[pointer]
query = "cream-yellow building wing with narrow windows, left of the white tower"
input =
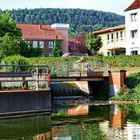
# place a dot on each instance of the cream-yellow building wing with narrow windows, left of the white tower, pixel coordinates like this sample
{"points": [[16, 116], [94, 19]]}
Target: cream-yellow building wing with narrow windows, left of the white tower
{"points": [[113, 40]]}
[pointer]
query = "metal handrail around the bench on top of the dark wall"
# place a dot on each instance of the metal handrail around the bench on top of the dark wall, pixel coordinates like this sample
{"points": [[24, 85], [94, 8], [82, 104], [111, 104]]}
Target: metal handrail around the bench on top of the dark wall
{"points": [[40, 74]]}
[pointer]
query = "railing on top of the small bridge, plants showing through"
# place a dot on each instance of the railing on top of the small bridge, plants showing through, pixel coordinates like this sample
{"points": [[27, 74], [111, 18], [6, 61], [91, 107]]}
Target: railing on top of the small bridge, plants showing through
{"points": [[66, 69]]}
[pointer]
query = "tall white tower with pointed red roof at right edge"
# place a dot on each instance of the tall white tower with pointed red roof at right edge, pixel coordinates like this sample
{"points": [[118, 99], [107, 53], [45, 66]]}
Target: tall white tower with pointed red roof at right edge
{"points": [[132, 27]]}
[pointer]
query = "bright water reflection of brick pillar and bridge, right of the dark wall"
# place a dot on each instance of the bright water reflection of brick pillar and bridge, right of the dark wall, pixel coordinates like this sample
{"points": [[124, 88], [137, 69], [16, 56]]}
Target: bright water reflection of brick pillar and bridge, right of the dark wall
{"points": [[109, 122]]}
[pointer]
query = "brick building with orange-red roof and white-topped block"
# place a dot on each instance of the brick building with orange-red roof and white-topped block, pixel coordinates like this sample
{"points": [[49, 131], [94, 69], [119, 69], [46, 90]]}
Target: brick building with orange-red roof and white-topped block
{"points": [[43, 36]]}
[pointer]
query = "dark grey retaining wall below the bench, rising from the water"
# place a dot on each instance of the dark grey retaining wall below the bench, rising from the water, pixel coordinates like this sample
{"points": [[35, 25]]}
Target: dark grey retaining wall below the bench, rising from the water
{"points": [[29, 101]]}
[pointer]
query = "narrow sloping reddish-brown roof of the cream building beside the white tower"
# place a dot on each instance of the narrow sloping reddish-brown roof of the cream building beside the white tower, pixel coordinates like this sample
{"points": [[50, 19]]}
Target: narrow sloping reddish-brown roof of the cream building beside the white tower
{"points": [[116, 28]]}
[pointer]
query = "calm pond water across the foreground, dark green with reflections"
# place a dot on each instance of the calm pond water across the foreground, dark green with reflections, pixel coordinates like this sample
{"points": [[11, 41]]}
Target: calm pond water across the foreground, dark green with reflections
{"points": [[76, 120]]}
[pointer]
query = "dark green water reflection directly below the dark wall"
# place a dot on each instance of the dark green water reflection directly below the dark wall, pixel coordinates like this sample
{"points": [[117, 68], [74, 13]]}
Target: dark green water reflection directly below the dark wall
{"points": [[25, 128]]}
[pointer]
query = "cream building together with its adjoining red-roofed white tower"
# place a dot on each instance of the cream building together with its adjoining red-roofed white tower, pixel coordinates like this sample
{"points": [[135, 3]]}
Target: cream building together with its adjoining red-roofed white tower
{"points": [[123, 39]]}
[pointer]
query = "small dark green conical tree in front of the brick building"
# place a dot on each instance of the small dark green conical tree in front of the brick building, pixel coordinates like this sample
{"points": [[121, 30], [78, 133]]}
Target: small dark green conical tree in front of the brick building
{"points": [[56, 51]]}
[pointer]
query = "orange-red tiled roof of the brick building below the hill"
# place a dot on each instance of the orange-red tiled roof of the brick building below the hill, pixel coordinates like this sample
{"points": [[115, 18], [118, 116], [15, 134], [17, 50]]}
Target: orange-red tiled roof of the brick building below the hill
{"points": [[39, 32]]}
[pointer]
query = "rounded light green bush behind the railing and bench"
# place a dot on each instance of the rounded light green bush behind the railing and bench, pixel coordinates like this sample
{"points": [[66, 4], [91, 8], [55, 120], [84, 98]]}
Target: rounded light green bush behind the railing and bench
{"points": [[15, 60]]}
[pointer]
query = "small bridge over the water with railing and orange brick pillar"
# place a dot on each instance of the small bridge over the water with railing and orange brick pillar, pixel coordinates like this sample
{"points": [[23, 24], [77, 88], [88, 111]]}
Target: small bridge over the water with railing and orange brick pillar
{"points": [[87, 76]]}
